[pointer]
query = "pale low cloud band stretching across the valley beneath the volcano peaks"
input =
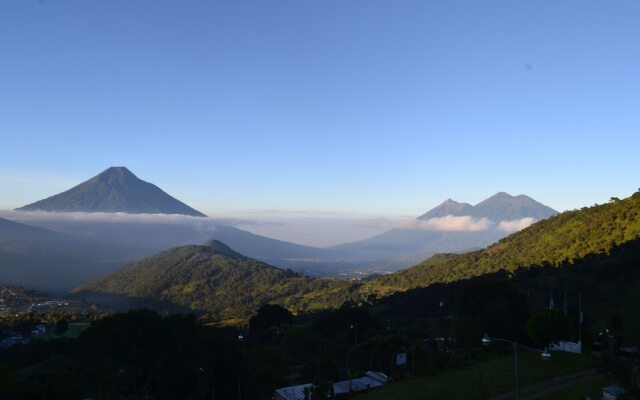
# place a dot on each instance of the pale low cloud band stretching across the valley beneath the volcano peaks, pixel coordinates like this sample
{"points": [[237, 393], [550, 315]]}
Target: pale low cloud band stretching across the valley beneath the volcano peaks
{"points": [[315, 230]]}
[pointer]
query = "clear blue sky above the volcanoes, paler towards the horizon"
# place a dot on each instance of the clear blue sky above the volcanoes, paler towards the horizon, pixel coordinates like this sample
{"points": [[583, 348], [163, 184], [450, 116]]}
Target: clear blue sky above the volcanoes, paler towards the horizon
{"points": [[351, 107]]}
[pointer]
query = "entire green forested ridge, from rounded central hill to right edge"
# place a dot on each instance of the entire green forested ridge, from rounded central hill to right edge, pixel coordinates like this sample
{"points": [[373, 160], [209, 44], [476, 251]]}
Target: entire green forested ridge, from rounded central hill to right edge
{"points": [[231, 287]]}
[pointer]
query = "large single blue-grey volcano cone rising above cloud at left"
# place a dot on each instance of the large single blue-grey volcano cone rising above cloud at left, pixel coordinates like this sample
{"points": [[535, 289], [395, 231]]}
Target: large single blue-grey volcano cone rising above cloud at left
{"points": [[116, 189]]}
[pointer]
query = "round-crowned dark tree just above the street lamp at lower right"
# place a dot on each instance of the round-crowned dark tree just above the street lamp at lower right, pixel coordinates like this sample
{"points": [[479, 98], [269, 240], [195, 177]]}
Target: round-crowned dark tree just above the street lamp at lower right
{"points": [[549, 326]]}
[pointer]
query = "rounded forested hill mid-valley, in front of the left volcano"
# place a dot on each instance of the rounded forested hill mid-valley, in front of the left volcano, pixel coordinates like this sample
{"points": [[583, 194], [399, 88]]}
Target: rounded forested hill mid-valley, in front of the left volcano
{"points": [[215, 279]]}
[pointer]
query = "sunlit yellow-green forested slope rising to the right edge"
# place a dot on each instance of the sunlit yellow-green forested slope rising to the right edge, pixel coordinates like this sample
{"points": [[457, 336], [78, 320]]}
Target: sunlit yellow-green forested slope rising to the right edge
{"points": [[557, 241]]}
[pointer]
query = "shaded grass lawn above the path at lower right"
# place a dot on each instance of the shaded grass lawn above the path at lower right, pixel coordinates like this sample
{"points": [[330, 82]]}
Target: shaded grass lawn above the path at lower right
{"points": [[480, 380]]}
